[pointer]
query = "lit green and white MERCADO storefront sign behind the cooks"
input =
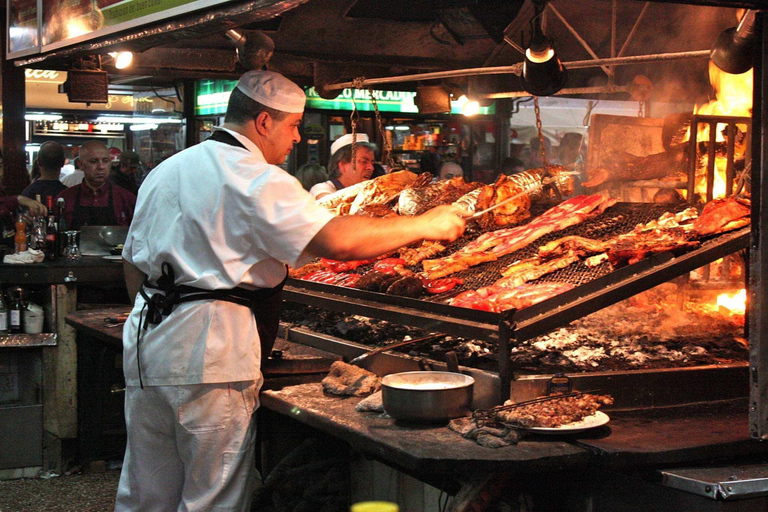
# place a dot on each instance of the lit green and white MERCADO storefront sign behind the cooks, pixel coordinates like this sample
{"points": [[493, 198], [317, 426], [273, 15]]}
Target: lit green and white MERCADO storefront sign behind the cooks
{"points": [[212, 97]]}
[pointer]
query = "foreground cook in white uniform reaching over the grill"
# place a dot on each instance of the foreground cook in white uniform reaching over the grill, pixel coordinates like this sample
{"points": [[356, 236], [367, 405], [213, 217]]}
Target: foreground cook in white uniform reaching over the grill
{"points": [[205, 261]]}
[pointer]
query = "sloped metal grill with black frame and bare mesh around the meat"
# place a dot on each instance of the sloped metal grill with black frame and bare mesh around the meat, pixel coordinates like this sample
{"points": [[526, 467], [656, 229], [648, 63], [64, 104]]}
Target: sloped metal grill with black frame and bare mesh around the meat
{"points": [[595, 288]]}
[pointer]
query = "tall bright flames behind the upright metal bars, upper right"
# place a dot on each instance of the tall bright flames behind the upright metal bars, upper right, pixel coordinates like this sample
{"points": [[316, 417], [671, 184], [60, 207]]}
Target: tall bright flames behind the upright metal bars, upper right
{"points": [[733, 95]]}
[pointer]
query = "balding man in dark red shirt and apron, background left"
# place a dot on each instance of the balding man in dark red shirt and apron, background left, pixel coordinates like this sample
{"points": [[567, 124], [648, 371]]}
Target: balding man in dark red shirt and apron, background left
{"points": [[95, 201]]}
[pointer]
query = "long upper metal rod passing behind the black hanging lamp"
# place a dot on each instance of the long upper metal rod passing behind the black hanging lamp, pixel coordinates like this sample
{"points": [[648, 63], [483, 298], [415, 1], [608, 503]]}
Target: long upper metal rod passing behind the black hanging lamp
{"points": [[517, 69]]}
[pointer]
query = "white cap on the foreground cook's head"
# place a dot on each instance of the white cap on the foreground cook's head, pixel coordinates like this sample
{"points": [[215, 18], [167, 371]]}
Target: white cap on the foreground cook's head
{"points": [[273, 90]]}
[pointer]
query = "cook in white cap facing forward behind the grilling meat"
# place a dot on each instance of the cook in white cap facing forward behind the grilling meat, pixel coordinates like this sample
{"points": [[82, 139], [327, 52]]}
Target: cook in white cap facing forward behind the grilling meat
{"points": [[343, 174]]}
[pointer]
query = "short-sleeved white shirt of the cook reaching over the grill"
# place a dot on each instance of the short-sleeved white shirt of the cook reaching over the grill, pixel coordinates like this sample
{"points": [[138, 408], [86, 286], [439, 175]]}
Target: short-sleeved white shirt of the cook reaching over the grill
{"points": [[222, 217]]}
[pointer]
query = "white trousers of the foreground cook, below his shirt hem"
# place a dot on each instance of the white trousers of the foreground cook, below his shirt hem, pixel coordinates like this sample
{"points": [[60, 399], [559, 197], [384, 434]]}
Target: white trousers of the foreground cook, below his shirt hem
{"points": [[189, 448]]}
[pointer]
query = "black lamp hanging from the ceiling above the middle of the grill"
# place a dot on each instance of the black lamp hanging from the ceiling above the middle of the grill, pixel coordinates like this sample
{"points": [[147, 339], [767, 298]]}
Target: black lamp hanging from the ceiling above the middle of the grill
{"points": [[543, 73]]}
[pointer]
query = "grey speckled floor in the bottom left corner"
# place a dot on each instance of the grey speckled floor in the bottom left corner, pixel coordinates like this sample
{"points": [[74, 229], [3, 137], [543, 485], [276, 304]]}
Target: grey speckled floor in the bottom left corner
{"points": [[93, 492]]}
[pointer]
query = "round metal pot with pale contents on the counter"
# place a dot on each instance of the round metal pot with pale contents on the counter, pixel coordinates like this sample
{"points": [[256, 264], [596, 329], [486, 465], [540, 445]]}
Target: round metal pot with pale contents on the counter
{"points": [[427, 396]]}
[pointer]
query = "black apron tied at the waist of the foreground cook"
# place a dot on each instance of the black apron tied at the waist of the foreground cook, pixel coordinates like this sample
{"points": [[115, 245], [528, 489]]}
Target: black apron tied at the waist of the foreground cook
{"points": [[264, 303]]}
